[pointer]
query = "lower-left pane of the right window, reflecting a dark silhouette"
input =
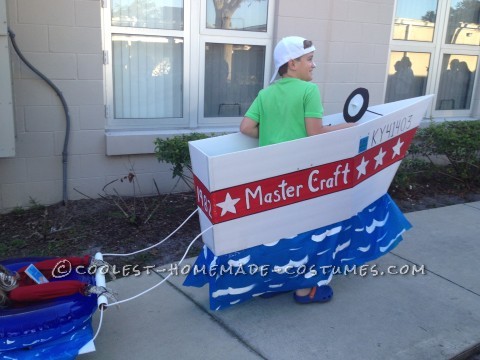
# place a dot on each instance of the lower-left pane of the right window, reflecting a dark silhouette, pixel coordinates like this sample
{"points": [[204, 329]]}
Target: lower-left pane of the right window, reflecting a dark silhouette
{"points": [[407, 75]]}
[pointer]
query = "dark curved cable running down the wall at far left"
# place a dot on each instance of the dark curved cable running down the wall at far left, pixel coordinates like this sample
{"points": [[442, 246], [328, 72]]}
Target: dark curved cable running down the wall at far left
{"points": [[65, 109]]}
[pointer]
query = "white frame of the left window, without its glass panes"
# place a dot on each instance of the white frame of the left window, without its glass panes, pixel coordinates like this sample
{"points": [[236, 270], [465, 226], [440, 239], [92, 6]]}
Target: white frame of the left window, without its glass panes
{"points": [[195, 34]]}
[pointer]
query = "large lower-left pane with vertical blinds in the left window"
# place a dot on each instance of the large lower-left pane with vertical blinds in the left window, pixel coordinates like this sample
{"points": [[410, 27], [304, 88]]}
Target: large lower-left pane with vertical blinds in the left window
{"points": [[147, 76]]}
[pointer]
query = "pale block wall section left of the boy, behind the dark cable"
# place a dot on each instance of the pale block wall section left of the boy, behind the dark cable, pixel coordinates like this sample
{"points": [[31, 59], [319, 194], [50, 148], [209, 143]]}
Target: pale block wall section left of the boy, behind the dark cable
{"points": [[62, 39]]}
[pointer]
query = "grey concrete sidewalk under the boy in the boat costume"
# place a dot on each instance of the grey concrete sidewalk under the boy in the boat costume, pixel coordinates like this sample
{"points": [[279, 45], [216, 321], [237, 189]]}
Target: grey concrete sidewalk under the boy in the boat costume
{"points": [[430, 316]]}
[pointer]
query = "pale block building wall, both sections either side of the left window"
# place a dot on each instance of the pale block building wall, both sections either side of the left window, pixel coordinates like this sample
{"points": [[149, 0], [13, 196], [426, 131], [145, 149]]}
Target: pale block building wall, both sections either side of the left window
{"points": [[62, 38]]}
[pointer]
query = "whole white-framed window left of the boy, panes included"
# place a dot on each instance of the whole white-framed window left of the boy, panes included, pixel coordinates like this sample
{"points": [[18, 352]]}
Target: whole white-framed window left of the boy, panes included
{"points": [[173, 64]]}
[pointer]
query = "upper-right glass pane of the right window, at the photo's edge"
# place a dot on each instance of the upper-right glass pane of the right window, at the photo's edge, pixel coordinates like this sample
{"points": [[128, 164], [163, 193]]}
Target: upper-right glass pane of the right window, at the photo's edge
{"points": [[464, 22]]}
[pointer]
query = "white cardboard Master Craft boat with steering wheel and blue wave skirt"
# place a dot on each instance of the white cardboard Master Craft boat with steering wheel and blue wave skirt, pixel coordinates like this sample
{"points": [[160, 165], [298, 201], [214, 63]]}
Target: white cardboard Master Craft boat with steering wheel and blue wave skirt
{"points": [[295, 210]]}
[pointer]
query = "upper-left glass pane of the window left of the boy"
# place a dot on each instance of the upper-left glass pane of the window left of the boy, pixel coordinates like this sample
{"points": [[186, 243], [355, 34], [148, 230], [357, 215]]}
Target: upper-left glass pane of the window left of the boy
{"points": [[152, 14]]}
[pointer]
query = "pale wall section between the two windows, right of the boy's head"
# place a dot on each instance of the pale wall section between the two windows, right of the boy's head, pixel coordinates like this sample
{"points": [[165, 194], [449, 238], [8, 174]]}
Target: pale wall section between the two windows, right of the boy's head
{"points": [[351, 40]]}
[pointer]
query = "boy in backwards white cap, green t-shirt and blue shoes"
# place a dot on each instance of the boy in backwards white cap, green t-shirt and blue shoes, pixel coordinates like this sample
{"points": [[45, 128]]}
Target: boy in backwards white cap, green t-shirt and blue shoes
{"points": [[290, 109]]}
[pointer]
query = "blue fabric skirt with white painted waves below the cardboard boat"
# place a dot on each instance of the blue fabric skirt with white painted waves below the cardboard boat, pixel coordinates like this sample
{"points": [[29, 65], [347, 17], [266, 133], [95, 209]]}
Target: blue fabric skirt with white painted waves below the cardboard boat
{"points": [[309, 259]]}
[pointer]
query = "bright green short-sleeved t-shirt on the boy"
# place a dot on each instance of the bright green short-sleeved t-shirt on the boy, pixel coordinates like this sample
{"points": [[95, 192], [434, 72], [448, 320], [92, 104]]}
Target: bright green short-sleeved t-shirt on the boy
{"points": [[281, 109]]}
